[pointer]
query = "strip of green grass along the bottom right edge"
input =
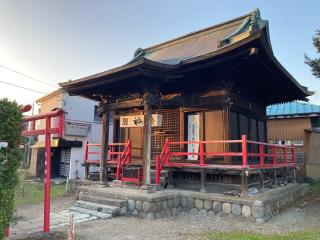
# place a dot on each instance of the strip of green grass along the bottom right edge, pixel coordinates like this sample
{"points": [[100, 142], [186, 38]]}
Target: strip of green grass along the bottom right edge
{"points": [[311, 234]]}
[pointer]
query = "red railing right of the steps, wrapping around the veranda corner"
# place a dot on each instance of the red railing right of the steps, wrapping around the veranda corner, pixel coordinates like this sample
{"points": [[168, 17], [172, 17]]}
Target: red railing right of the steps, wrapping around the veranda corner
{"points": [[282, 158]]}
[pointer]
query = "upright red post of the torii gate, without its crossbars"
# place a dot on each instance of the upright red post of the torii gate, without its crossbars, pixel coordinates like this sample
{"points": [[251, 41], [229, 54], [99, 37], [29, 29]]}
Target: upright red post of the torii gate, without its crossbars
{"points": [[47, 178]]}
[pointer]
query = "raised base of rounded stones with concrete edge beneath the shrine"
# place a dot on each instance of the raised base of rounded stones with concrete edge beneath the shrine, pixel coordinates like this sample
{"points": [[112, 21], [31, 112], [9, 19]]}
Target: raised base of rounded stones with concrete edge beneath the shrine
{"points": [[170, 202]]}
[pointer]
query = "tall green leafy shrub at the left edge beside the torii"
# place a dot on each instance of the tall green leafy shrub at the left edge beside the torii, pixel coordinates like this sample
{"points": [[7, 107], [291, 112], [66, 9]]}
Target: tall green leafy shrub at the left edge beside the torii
{"points": [[10, 157]]}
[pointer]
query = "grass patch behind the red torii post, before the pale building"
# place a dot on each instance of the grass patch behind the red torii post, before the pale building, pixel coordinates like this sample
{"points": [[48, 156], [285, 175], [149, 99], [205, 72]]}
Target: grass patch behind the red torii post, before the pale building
{"points": [[31, 192]]}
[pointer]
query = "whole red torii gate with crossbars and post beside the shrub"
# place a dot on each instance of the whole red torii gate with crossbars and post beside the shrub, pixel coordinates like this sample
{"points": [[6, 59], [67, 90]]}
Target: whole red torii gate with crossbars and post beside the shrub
{"points": [[47, 131]]}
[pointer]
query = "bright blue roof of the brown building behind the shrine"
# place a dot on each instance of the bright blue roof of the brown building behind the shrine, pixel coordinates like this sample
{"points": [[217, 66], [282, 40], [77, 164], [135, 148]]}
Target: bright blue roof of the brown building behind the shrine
{"points": [[292, 108]]}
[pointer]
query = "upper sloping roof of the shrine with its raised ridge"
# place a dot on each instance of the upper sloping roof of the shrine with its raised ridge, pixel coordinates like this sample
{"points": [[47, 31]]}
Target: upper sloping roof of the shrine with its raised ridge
{"points": [[202, 42]]}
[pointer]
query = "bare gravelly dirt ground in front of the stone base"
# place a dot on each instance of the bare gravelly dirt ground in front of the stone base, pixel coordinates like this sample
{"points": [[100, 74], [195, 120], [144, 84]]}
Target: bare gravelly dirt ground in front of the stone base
{"points": [[302, 215]]}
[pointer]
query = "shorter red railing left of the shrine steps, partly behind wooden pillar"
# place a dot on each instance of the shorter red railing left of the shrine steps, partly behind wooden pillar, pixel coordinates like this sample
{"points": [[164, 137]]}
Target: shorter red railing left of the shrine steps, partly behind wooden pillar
{"points": [[115, 155]]}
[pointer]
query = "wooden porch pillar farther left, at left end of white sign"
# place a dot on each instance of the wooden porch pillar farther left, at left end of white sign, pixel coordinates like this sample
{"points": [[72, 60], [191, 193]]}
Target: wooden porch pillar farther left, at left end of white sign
{"points": [[104, 144]]}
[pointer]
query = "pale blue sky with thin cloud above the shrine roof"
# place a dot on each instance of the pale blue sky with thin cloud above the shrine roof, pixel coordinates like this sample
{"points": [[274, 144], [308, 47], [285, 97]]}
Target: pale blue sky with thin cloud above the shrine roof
{"points": [[54, 41]]}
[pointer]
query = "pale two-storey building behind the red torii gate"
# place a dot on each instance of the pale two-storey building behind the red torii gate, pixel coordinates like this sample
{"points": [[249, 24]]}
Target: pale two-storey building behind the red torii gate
{"points": [[82, 123]]}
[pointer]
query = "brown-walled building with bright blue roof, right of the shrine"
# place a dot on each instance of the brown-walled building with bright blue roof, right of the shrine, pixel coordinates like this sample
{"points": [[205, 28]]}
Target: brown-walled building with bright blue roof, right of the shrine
{"points": [[297, 123]]}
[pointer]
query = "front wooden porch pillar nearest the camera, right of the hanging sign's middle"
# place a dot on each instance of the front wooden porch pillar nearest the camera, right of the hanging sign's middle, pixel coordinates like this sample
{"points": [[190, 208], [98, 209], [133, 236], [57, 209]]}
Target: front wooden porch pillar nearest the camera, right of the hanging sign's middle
{"points": [[146, 155]]}
